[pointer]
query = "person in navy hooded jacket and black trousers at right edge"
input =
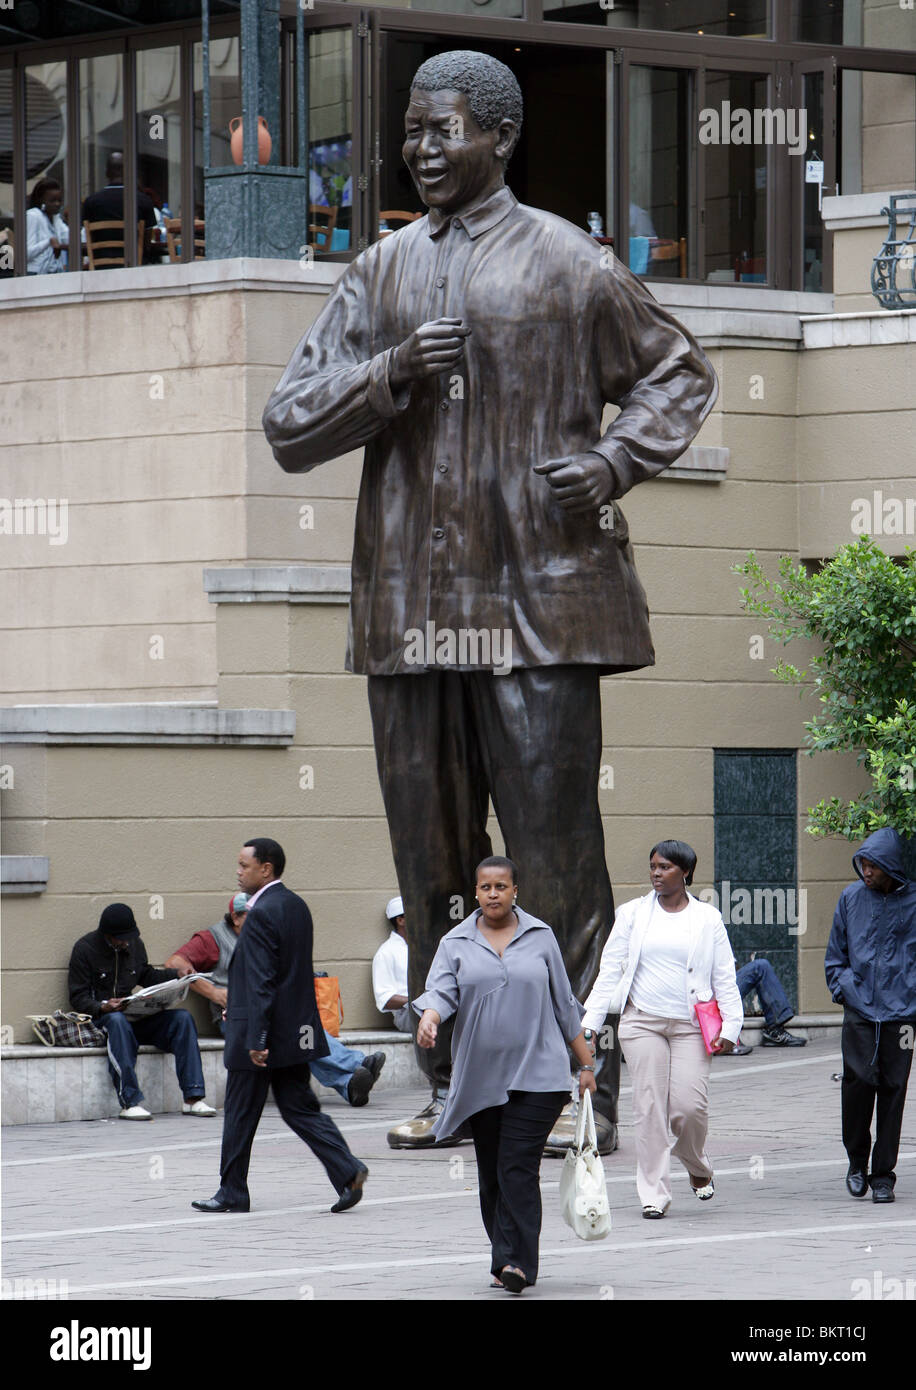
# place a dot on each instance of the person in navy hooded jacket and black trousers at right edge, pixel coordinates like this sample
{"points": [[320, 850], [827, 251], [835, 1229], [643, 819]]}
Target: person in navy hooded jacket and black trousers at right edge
{"points": [[871, 968]]}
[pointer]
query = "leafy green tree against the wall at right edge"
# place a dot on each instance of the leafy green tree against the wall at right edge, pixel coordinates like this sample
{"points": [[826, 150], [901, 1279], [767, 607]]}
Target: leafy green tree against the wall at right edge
{"points": [[861, 608]]}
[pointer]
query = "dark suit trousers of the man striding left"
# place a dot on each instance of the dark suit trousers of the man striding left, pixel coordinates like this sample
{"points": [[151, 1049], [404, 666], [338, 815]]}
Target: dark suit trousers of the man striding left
{"points": [[245, 1096]]}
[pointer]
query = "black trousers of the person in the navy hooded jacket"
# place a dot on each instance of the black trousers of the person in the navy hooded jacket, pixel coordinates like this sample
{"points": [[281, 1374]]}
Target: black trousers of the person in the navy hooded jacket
{"points": [[876, 1063]]}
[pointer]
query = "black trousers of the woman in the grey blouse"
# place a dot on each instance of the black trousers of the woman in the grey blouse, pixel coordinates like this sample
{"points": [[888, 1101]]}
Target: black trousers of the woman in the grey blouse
{"points": [[509, 1142]]}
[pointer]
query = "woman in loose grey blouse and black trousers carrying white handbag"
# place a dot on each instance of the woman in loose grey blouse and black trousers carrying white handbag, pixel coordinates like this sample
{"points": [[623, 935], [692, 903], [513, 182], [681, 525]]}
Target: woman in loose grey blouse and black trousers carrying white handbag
{"points": [[501, 972]]}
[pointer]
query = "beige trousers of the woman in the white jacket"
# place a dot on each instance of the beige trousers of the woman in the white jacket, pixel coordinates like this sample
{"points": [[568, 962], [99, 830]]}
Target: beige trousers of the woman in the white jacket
{"points": [[669, 1067]]}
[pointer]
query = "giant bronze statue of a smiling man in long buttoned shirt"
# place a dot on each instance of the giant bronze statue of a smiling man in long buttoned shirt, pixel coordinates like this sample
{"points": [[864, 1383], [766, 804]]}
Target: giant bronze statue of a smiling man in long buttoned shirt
{"points": [[473, 354]]}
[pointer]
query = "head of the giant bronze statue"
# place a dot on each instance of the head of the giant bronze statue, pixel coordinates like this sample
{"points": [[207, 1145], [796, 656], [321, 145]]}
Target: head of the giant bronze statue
{"points": [[462, 126]]}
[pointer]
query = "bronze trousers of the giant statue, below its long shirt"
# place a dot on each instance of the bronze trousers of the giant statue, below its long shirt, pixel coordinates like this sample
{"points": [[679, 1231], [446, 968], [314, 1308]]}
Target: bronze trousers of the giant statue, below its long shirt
{"points": [[450, 742]]}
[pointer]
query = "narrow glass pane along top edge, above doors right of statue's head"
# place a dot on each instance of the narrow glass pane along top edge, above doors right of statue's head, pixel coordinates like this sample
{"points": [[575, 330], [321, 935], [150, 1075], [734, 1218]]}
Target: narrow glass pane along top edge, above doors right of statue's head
{"points": [[739, 19]]}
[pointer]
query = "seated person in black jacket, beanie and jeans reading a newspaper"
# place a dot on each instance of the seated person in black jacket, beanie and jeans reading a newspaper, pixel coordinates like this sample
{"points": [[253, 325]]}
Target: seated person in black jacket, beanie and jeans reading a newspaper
{"points": [[105, 968]]}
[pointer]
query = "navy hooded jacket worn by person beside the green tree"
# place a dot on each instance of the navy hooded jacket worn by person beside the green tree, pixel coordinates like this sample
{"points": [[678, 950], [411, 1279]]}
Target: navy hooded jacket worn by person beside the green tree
{"points": [[871, 961]]}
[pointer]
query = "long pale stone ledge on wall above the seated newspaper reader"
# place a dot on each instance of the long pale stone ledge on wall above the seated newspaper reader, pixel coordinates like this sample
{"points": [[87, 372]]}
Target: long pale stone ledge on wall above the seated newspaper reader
{"points": [[159, 725]]}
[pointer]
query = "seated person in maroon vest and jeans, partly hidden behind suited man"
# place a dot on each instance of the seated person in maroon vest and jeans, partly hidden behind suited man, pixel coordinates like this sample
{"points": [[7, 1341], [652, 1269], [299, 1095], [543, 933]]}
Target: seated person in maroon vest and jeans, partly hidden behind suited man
{"points": [[348, 1071]]}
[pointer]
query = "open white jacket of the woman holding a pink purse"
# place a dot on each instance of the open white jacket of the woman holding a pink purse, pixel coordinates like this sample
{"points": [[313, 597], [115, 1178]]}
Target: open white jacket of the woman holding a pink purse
{"points": [[711, 967]]}
